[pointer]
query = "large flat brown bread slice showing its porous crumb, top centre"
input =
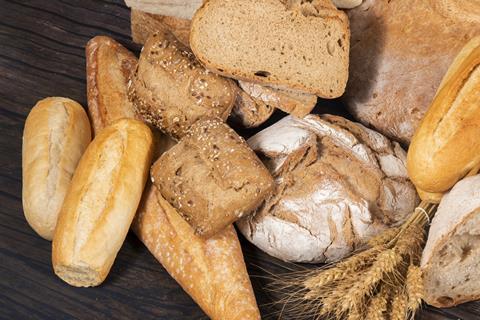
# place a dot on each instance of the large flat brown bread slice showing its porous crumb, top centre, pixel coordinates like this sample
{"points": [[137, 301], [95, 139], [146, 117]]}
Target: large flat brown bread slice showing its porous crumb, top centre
{"points": [[271, 42]]}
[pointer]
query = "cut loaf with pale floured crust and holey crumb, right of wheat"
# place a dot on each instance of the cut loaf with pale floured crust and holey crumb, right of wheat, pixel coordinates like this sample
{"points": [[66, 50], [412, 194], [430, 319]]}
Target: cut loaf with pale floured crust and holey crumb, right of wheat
{"points": [[451, 258]]}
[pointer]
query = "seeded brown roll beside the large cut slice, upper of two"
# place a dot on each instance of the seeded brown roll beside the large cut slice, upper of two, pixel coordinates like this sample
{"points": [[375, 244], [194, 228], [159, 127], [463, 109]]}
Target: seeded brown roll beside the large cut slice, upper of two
{"points": [[171, 90]]}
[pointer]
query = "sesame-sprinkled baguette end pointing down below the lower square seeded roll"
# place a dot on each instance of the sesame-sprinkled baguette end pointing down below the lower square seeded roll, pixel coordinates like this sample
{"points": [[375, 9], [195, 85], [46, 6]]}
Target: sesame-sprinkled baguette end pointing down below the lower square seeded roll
{"points": [[211, 271]]}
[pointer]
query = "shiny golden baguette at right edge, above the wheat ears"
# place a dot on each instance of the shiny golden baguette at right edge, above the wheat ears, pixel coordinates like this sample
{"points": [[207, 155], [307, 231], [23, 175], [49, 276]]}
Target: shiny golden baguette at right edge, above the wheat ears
{"points": [[446, 146]]}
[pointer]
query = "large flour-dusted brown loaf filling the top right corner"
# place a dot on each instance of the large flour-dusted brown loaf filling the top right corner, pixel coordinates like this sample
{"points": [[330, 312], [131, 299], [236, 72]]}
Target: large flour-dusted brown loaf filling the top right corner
{"points": [[400, 51]]}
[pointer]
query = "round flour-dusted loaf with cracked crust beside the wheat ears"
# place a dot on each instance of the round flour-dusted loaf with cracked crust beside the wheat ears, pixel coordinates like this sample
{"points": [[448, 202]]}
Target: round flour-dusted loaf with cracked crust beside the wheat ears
{"points": [[337, 184]]}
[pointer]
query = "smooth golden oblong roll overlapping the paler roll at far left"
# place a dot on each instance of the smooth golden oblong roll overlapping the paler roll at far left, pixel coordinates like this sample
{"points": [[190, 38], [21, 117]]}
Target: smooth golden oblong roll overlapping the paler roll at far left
{"points": [[101, 203]]}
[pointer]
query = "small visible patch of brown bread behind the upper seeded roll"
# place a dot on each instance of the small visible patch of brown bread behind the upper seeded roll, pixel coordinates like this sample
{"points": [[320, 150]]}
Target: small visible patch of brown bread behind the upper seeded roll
{"points": [[144, 24]]}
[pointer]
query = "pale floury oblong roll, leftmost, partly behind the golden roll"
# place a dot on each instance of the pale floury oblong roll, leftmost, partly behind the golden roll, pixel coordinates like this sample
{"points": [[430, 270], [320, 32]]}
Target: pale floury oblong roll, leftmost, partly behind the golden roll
{"points": [[56, 134]]}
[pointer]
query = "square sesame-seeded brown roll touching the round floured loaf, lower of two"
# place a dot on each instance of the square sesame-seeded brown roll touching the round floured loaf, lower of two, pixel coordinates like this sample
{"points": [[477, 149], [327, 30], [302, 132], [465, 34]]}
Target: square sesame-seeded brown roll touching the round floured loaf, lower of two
{"points": [[212, 177]]}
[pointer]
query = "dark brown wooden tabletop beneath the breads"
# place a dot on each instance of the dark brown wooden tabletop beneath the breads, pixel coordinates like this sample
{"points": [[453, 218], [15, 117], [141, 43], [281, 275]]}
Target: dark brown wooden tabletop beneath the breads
{"points": [[42, 54]]}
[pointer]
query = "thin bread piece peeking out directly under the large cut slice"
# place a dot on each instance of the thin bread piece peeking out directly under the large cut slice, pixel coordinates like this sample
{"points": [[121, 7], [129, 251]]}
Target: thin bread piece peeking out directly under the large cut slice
{"points": [[296, 103]]}
